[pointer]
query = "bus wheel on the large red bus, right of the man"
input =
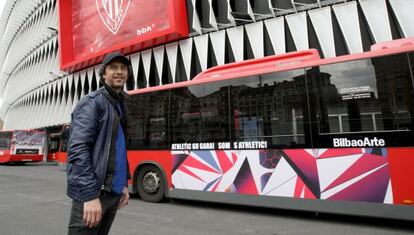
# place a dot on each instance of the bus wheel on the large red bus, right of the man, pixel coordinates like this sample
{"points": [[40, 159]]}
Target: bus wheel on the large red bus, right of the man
{"points": [[150, 184]]}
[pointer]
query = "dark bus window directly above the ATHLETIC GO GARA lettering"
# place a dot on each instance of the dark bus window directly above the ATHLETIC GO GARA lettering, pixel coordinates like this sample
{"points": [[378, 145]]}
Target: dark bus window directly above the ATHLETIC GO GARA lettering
{"points": [[200, 113]]}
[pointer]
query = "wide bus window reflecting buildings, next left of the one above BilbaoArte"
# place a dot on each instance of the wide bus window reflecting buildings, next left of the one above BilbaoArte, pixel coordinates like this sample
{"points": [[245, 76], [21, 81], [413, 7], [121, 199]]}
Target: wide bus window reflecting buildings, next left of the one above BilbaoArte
{"points": [[270, 107]]}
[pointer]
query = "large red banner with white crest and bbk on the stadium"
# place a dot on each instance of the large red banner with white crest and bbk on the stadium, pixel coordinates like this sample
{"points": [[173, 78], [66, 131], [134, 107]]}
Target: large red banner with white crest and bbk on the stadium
{"points": [[90, 29]]}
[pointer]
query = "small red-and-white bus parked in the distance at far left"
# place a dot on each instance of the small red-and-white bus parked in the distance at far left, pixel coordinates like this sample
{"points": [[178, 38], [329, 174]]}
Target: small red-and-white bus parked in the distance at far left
{"points": [[21, 146]]}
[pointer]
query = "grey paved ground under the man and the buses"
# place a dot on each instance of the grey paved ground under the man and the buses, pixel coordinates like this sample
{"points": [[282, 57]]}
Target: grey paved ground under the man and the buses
{"points": [[33, 201]]}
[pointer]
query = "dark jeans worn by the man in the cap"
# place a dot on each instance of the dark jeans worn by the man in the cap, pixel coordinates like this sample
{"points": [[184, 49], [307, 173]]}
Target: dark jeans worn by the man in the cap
{"points": [[109, 202]]}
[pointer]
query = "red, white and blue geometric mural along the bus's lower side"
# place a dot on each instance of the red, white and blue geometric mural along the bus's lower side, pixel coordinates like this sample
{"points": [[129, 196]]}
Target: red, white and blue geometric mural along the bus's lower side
{"points": [[351, 174]]}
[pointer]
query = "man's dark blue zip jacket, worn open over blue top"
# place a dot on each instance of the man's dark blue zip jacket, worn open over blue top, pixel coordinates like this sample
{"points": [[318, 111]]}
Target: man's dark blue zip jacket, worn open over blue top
{"points": [[91, 144]]}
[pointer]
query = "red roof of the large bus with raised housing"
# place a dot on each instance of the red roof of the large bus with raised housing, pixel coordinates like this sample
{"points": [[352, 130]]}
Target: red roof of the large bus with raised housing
{"points": [[288, 61]]}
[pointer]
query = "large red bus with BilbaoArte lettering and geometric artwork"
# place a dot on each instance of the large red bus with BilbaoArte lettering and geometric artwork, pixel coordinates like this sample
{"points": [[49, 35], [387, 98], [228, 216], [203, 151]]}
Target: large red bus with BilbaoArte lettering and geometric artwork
{"points": [[290, 131]]}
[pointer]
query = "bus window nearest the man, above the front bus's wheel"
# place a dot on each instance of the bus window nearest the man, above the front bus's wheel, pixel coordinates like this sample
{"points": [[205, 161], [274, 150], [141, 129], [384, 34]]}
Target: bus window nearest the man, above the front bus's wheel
{"points": [[147, 121]]}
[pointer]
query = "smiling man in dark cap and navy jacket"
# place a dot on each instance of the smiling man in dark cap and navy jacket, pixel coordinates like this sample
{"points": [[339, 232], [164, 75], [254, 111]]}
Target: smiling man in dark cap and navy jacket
{"points": [[97, 167]]}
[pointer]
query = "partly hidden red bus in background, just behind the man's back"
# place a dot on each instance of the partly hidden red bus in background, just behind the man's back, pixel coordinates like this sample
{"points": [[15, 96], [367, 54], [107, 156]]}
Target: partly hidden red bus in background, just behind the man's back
{"points": [[58, 146]]}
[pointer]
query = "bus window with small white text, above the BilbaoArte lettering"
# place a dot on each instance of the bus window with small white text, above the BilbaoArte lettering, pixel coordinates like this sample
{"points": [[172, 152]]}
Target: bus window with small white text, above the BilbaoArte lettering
{"points": [[364, 97]]}
